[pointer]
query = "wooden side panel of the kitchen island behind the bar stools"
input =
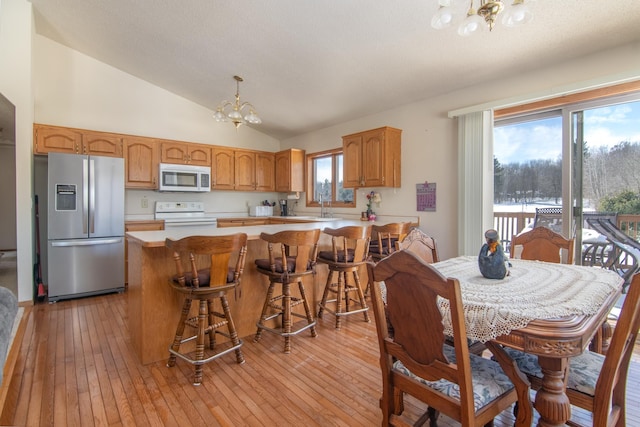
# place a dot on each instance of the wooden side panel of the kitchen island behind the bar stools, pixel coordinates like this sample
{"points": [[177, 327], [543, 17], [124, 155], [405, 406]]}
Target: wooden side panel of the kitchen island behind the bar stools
{"points": [[154, 307]]}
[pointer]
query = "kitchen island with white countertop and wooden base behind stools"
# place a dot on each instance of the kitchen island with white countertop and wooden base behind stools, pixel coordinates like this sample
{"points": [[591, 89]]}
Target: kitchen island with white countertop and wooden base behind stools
{"points": [[154, 307]]}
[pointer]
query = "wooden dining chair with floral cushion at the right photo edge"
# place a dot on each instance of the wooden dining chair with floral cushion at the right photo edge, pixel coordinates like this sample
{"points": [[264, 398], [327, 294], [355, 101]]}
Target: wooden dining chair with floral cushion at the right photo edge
{"points": [[596, 382]]}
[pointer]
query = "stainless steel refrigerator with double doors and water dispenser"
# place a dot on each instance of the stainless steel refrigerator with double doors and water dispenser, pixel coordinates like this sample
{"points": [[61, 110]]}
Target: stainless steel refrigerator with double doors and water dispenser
{"points": [[85, 222]]}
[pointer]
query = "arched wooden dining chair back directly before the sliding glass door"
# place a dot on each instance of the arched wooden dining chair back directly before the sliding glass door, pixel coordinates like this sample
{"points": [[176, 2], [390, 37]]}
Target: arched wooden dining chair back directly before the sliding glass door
{"points": [[542, 244]]}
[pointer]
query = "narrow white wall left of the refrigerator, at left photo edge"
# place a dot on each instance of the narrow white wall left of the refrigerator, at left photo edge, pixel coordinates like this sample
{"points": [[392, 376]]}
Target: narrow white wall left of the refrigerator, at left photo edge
{"points": [[16, 33]]}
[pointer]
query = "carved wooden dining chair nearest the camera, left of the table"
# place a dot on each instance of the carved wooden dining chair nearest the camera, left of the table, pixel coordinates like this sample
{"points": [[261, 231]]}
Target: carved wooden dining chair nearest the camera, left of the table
{"points": [[414, 358]]}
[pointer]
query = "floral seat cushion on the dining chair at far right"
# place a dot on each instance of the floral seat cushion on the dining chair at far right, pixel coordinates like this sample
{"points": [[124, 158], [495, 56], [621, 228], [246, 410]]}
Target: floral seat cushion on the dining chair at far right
{"points": [[583, 369]]}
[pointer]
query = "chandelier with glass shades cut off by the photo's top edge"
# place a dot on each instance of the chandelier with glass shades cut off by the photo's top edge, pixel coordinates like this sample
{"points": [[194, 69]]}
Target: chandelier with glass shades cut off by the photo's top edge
{"points": [[483, 17]]}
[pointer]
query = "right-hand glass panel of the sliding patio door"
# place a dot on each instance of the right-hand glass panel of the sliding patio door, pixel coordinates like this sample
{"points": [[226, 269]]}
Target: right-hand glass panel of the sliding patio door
{"points": [[606, 164]]}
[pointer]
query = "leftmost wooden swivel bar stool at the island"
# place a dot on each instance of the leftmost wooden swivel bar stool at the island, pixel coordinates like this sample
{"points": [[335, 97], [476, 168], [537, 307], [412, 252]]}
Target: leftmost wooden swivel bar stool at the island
{"points": [[208, 267]]}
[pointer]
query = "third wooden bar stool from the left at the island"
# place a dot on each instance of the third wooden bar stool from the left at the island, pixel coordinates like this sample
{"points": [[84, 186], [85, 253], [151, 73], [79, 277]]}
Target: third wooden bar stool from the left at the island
{"points": [[350, 249]]}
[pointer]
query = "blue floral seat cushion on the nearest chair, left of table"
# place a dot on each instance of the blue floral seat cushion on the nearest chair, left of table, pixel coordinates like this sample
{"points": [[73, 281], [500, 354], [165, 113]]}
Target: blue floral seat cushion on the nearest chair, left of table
{"points": [[489, 381]]}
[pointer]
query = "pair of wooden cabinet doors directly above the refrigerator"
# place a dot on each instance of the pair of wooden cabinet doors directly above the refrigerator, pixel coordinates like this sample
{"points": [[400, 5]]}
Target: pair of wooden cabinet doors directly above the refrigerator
{"points": [[57, 139]]}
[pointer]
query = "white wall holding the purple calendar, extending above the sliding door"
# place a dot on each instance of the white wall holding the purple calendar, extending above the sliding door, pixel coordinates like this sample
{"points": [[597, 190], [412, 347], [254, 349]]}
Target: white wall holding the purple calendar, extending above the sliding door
{"points": [[429, 138]]}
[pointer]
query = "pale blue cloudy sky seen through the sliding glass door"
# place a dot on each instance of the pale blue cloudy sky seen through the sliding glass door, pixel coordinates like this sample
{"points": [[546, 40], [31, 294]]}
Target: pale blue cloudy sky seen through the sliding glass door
{"points": [[542, 139]]}
